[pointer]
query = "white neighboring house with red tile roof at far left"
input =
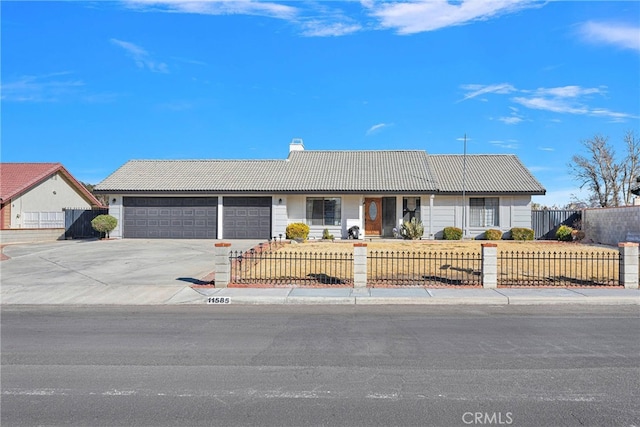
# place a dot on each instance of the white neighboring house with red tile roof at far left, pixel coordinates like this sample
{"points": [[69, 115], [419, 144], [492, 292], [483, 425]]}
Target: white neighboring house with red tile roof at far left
{"points": [[34, 195]]}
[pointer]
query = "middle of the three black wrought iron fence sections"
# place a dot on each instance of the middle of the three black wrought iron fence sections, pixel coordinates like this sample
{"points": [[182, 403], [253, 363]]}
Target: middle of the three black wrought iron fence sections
{"points": [[423, 268]]}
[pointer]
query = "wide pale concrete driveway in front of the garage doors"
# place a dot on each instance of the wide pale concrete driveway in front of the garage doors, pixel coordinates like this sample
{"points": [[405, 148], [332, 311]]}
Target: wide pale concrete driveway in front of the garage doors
{"points": [[127, 262]]}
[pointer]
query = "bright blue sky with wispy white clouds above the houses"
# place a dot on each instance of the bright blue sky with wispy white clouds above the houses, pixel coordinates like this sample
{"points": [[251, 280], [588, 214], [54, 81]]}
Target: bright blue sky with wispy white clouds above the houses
{"points": [[95, 84]]}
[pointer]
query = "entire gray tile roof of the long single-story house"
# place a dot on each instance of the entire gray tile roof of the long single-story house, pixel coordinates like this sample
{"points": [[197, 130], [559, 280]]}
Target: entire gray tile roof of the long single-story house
{"points": [[315, 172]]}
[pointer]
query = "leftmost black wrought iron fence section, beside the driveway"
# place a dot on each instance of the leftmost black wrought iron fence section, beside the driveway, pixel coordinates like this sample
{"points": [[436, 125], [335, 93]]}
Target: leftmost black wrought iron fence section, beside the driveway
{"points": [[291, 268]]}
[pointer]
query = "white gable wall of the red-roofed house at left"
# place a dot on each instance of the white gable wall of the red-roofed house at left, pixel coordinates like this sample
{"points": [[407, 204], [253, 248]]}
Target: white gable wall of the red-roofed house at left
{"points": [[51, 195]]}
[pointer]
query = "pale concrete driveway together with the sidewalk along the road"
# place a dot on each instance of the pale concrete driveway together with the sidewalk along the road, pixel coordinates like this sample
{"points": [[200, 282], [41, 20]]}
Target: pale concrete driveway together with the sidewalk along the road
{"points": [[162, 272]]}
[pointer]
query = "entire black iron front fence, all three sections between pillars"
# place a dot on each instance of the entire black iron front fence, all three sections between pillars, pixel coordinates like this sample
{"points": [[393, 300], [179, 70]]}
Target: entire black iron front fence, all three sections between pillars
{"points": [[428, 269]]}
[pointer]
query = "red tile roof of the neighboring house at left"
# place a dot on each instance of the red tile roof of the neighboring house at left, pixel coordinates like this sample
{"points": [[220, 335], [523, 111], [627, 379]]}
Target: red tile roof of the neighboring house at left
{"points": [[16, 178]]}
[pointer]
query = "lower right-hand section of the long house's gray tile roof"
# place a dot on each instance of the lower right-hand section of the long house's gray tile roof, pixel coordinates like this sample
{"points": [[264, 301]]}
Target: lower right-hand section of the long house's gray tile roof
{"points": [[485, 173]]}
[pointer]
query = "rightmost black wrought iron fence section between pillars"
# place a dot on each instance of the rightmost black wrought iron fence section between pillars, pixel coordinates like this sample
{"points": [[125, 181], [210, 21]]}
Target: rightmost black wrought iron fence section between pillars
{"points": [[558, 268]]}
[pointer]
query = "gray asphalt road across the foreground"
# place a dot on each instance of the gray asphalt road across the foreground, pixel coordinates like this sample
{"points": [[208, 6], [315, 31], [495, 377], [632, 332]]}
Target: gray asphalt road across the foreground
{"points": [[319, 365]]}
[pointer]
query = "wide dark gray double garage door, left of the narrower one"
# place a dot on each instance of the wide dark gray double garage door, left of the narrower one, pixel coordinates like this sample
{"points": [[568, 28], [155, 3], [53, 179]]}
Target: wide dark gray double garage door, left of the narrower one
{"points": [[170, 217]]}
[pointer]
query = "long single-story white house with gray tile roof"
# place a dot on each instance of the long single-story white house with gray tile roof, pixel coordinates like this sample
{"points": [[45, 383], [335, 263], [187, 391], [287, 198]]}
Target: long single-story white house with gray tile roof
{"points": [[334, 190]]}
